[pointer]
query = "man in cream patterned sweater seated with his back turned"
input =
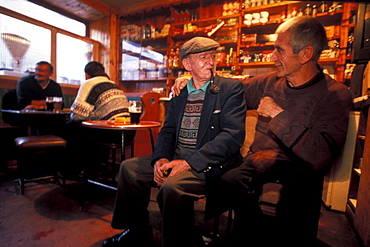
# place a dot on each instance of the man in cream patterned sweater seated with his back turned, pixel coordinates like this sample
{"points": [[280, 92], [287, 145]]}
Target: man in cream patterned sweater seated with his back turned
{"points": [[98, 98]]}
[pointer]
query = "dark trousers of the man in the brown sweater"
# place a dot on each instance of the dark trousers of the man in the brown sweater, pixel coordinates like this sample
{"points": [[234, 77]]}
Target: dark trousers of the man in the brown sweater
{"points": [[298, 210]]}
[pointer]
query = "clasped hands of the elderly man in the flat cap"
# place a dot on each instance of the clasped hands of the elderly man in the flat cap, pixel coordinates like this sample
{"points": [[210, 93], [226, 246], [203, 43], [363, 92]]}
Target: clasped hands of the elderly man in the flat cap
{"points": [[163, 166]]}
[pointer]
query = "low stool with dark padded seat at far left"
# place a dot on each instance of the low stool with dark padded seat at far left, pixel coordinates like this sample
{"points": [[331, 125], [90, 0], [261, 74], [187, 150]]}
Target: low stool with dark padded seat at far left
{"points": [[43, 153]]}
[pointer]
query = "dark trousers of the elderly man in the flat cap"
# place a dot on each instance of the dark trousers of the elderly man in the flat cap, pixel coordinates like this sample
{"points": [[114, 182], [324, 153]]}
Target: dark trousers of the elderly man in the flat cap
{"points": [[175, 200]]}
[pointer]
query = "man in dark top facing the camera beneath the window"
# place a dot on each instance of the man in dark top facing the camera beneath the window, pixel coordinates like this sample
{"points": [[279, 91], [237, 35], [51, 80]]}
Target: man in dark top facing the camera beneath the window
{"points": [[33, 89]]}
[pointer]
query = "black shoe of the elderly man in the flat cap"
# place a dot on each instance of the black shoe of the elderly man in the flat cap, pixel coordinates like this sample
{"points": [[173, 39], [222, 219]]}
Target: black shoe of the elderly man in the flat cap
{"points": [[131, 237]]}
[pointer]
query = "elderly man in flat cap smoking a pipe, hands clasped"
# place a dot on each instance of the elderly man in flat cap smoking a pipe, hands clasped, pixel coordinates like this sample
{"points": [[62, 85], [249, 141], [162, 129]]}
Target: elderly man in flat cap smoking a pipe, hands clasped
{"points": [[199, 141]]}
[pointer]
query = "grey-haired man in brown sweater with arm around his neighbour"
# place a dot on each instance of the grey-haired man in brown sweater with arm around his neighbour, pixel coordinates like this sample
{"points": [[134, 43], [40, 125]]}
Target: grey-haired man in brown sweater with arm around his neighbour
{"points": [[301, 128]]}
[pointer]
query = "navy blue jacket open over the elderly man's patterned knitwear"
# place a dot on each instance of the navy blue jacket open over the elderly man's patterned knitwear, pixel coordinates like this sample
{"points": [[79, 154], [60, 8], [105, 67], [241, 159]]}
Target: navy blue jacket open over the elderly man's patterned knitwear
{"points": [[221, 130]]}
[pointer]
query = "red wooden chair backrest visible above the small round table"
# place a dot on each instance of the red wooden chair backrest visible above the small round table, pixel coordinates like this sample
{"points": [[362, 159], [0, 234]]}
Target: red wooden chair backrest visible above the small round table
{"points": [[151, 109]]}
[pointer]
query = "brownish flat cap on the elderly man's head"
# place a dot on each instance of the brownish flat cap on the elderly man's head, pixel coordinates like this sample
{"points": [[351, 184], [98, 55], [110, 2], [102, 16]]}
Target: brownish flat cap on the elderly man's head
{"points": [[197, 45]]}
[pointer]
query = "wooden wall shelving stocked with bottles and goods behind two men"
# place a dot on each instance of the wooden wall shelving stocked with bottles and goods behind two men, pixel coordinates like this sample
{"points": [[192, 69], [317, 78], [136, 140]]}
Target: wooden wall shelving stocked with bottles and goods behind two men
{"points": [[244, 30]]}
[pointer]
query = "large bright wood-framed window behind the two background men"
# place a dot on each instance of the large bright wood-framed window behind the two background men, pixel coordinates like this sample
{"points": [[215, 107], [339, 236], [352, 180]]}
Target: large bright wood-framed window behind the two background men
{"points": [[25, 41]]}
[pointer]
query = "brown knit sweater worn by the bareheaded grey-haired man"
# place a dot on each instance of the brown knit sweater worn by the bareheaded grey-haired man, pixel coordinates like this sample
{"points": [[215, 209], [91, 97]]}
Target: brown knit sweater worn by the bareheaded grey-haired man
{"points": [[311, 129]]}
